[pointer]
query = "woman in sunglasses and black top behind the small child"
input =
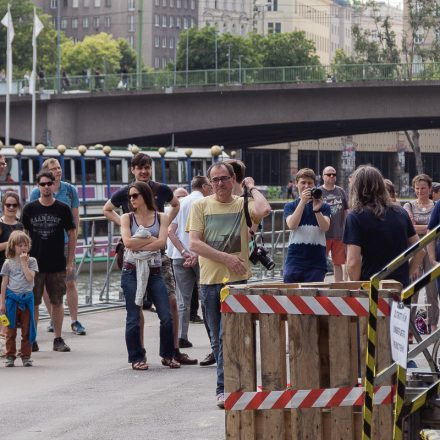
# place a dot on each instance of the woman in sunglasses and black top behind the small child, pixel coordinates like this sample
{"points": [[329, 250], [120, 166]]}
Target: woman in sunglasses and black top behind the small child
{"points": [[8, 223]]}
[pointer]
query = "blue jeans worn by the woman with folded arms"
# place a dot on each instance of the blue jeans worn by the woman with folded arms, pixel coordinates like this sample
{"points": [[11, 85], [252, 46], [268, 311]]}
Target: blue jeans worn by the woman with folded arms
{"points": [[159, 296]]}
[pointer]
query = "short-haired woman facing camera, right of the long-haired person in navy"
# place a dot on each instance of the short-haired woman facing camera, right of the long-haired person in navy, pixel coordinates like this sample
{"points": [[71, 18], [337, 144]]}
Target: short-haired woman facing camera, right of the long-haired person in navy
{"points": [[419, 211]]}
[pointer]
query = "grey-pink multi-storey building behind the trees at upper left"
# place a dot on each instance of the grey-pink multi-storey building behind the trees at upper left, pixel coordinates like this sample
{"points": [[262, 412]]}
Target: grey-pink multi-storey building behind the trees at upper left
{"points": [[162, 22]]}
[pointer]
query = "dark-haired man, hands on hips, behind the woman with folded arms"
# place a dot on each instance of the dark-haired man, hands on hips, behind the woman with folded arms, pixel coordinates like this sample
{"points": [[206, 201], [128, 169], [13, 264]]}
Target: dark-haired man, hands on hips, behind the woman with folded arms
{"points": [[141, 168]]}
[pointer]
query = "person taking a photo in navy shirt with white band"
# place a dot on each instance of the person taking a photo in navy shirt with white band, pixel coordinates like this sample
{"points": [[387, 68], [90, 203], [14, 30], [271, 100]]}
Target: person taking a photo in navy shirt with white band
{"points": [[308, 219]]}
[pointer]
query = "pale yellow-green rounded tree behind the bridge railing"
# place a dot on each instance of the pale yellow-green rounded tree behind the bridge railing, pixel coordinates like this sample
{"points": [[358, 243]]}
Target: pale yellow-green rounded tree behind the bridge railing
{"points": [[99, 51]]}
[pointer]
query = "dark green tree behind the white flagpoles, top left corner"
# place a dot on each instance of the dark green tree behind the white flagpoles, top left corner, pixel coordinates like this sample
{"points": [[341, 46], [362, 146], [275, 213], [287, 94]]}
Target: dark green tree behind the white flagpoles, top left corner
{"points": [[23, 18]]}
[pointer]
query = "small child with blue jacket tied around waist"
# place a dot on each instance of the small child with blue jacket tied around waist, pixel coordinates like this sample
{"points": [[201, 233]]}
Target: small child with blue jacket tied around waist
{"points": [[17, 298]]}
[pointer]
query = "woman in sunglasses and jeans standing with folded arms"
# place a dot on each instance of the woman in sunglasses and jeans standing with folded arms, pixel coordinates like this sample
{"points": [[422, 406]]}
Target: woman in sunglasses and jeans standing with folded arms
{"points": [[145, 221]]}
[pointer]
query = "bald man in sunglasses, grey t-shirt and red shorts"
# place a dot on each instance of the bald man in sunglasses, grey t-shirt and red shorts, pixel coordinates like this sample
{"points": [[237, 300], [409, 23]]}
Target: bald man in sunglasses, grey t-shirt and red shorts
{"points": [[335, 196]]}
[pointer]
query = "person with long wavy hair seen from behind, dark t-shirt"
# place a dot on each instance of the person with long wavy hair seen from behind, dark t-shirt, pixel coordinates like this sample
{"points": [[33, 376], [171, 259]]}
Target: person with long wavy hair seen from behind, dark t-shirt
{"points": [[376, 230]]}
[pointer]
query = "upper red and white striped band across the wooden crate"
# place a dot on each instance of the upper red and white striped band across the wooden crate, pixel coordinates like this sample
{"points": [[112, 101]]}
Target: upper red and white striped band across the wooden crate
{"points": [[302, 305]]}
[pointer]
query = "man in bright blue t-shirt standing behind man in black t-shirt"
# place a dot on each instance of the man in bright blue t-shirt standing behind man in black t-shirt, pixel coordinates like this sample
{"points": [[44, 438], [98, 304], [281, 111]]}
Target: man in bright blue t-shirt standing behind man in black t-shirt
{"points": [[66, 193]]}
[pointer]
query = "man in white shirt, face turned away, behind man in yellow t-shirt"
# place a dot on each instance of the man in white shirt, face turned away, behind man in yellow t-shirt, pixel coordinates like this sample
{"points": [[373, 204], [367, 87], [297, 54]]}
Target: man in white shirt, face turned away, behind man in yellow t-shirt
{"points": [[185, 263]]}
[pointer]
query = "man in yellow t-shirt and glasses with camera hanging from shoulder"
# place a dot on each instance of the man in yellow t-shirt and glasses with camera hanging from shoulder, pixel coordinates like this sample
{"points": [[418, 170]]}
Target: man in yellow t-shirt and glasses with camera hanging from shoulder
{"points": [[218, 234]]}
